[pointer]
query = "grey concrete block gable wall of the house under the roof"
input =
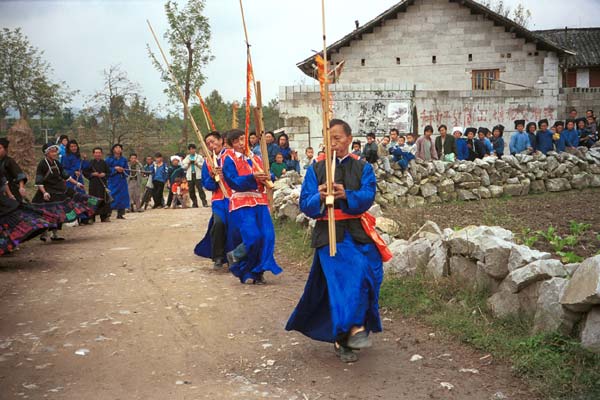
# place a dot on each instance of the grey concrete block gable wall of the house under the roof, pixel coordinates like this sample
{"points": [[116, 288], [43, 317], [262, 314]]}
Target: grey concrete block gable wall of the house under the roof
{"points": [[450, 32]]}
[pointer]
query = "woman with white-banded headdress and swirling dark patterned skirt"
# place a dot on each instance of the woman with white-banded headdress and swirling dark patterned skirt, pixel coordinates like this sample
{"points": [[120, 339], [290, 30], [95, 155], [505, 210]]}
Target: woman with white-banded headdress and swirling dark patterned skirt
{"points": [[53, 195]]}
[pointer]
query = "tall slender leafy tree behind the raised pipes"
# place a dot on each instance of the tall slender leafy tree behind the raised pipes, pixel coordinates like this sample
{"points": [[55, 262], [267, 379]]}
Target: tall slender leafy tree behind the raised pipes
{"points": [[189, 40]]}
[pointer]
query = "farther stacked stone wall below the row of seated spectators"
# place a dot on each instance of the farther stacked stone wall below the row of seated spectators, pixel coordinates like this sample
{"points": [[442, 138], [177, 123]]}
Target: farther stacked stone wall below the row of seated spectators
{"points": [[436, 182]]}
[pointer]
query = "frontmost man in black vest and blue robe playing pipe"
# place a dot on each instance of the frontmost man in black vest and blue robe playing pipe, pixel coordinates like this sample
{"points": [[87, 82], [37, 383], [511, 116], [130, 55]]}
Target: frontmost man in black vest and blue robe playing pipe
{"points": [[340, 303]]}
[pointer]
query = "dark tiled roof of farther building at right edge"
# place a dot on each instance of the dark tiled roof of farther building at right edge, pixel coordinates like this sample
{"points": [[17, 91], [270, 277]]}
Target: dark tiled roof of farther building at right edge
{"points": [[584, 41]]}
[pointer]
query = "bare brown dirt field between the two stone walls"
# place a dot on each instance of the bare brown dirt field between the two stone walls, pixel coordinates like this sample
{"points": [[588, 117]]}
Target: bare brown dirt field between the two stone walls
{"points": [[533, 212]]}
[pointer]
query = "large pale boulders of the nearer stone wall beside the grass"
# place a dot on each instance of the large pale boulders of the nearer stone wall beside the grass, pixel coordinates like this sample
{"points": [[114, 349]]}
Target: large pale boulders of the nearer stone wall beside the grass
{"points": [[520, 280]]}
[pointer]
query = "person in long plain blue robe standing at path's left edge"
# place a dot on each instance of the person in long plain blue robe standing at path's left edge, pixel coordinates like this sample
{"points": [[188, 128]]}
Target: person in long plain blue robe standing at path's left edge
{"points": [[117, 180]]}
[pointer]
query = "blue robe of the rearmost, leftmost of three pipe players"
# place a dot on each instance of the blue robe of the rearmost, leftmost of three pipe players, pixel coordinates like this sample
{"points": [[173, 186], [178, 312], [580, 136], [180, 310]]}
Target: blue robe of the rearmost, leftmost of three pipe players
{"points": [[219, 208]]}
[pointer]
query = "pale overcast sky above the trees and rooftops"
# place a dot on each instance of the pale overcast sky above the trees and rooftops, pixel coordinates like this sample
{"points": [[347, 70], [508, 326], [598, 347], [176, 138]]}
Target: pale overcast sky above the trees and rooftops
{"points": [[82, 38]]}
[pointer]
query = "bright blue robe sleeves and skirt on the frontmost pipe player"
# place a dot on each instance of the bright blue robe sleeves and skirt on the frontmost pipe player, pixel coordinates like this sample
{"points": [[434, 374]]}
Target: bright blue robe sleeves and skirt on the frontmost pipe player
{"points": [[343, 291]]}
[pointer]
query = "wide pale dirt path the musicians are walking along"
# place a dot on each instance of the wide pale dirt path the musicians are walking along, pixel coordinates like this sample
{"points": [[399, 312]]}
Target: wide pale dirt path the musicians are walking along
{"points": [[160, 324]]}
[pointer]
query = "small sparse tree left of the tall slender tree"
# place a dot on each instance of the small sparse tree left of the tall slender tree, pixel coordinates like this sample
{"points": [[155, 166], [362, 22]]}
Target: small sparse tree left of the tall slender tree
{"points": [[111, 103]]}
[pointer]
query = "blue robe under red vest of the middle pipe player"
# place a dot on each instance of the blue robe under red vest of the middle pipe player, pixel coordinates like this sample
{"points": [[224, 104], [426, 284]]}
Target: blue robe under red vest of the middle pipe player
{"points": [[251, 226]]}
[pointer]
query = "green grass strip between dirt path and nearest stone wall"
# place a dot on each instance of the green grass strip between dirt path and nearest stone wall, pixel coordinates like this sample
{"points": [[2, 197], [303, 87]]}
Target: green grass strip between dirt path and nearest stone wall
{"points": [[554, 366]]}
